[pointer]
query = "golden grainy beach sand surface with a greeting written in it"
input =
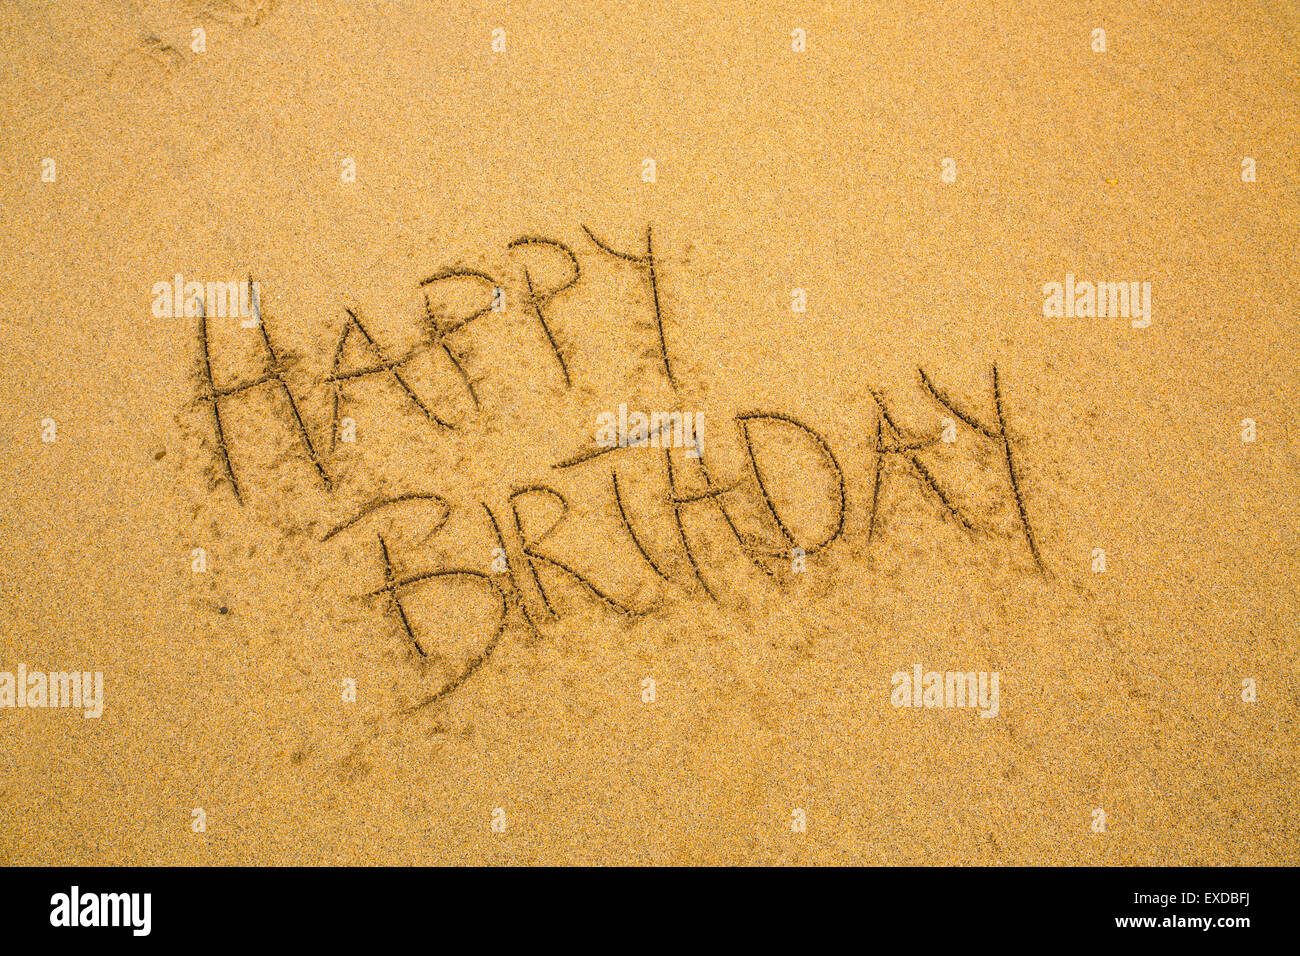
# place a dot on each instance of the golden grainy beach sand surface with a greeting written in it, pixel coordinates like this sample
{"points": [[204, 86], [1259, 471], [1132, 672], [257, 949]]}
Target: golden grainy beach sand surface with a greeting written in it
{"points": [[843, 196]]}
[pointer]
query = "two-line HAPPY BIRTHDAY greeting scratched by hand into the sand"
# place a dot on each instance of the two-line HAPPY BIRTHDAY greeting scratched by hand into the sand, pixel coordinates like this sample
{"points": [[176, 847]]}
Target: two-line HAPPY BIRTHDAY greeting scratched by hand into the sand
{"points": [[686, 529]]}
